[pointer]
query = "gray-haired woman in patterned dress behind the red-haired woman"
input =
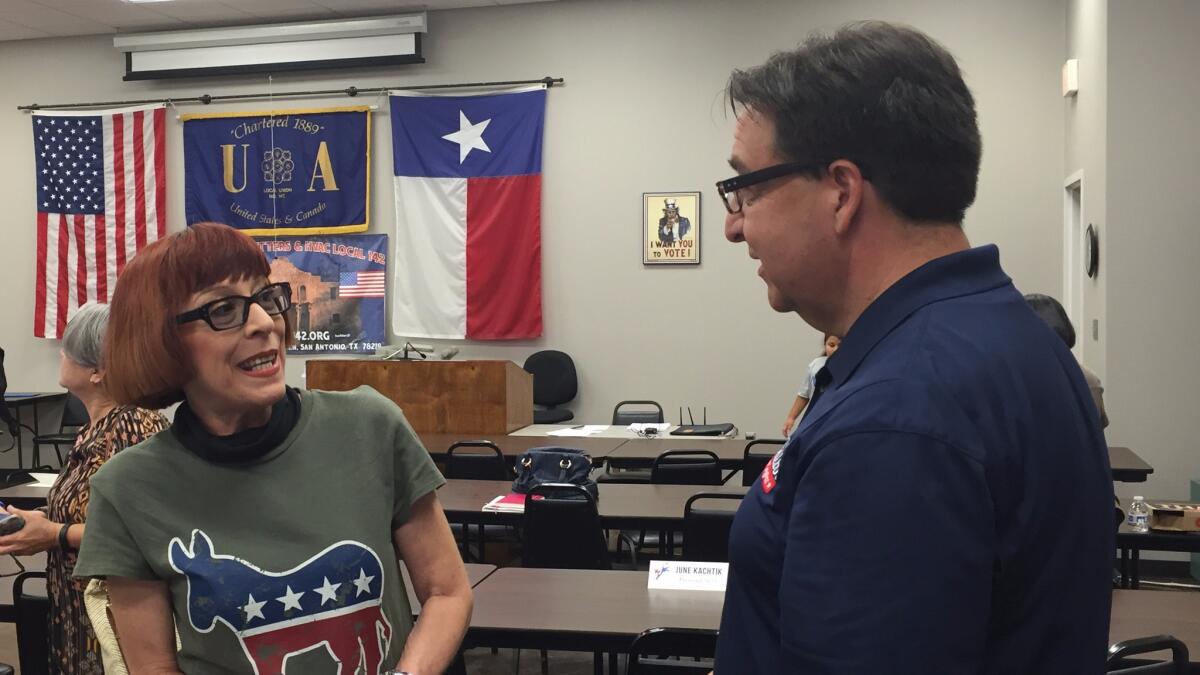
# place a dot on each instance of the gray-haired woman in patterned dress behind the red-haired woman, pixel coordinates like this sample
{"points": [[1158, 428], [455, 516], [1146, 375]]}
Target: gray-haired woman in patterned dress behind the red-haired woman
{"points": [[59, 531]]}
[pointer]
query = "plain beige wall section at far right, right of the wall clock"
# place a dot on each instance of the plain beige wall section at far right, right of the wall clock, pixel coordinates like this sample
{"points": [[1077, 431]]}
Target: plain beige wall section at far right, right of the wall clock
{"points": [[1154, 238]]}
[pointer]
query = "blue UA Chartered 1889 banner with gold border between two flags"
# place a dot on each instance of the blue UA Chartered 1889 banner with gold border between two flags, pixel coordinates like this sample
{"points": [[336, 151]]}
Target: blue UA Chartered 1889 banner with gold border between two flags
{"points": [[280, 172]]}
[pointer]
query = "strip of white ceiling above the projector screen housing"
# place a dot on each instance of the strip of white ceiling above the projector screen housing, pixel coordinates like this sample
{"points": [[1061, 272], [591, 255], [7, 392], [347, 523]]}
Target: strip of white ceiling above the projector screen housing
{"points": [[27, 20]]}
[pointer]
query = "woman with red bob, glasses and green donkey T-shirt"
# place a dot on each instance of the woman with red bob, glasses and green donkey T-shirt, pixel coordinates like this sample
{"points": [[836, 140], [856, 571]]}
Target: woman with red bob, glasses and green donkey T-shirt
{"points": [[279, 515]]}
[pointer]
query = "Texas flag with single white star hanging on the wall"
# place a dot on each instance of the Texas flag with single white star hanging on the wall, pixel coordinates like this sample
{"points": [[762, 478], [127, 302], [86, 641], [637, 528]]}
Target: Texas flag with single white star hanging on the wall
{"points": [[469, 216]]}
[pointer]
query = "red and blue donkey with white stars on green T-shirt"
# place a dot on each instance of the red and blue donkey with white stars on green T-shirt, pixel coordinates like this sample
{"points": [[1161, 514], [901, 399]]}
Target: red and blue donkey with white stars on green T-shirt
{"points": [[331, 601]]}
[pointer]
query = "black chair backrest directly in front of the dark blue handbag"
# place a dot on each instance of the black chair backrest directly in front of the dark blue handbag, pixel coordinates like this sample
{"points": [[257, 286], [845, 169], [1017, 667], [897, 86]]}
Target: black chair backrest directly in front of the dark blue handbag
{"points": [[562, 529]]}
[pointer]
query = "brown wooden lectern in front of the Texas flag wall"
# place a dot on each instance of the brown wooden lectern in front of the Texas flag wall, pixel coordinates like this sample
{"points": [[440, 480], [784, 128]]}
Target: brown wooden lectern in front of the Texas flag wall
{"points": [[469, 397]]}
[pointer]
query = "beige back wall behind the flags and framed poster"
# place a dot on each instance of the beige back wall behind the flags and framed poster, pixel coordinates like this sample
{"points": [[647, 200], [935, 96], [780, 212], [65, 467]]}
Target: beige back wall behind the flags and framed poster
{"points": [[641, 111]]}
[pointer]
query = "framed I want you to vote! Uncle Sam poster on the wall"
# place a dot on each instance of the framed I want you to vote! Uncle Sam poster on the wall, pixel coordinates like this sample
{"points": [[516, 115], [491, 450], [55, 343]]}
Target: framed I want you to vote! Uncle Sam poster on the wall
{"points": [[671, 229]]}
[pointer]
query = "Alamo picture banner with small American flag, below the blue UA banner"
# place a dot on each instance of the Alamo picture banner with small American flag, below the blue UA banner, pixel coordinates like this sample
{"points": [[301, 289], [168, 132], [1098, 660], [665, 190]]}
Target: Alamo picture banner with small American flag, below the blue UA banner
{"points": [[338, 289]]}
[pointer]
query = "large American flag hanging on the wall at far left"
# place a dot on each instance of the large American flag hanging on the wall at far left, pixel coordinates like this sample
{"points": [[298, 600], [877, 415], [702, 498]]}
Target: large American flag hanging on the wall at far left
{"points": [[101, 198]]}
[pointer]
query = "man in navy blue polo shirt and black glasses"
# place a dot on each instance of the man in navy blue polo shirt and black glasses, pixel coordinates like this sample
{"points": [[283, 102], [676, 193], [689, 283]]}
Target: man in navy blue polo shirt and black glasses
{"points": [[946, 504]]}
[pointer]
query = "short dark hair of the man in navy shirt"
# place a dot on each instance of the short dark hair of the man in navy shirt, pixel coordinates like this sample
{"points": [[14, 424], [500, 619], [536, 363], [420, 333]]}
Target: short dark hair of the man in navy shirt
{"points": [[889, 99]]}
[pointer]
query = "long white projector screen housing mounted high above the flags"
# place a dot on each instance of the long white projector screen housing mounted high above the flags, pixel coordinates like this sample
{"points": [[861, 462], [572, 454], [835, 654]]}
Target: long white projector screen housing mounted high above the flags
{"points": [[382, 41]]}
